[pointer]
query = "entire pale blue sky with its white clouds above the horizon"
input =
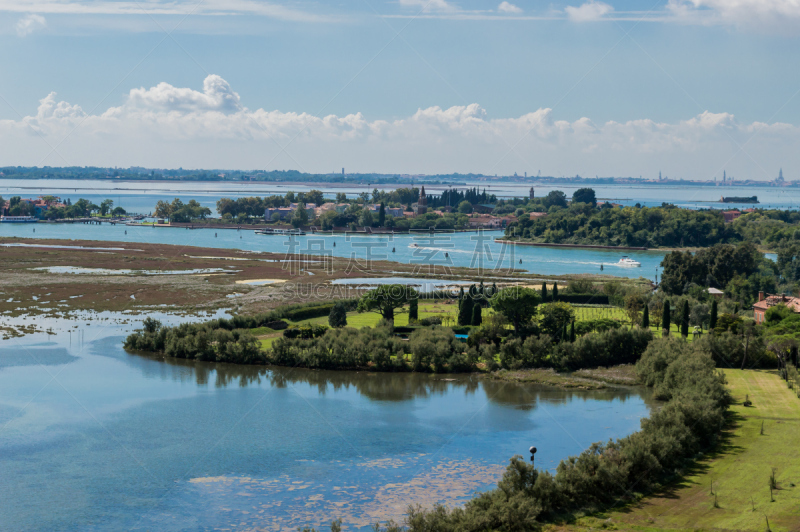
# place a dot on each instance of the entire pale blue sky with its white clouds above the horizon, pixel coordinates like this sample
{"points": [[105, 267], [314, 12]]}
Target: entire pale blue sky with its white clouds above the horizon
{"points": [[691, 87]]}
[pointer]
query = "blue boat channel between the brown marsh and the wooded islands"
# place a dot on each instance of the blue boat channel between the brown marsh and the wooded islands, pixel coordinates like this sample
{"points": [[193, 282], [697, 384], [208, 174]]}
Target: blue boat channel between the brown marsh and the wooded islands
{"points": [[476, 250]]}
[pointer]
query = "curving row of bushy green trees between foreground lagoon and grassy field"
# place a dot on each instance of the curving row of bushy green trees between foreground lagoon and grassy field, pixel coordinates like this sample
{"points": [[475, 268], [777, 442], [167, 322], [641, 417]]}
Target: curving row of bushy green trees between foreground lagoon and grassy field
{"points": [[691, 420]]}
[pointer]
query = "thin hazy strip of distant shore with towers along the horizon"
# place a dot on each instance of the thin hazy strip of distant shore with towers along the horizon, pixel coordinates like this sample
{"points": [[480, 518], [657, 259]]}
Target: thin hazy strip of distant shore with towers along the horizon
{"points": [[136, 173]]}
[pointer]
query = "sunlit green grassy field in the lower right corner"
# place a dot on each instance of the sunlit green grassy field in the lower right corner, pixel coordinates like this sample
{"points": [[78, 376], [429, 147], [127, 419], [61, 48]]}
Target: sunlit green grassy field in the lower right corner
{"points": [[739, 471]]}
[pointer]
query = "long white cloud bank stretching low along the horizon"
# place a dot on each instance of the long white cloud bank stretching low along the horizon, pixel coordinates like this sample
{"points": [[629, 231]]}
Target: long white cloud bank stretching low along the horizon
{"points": [[167, 126]]}
